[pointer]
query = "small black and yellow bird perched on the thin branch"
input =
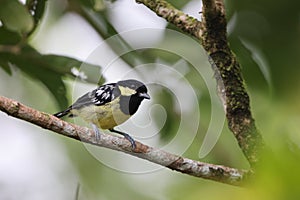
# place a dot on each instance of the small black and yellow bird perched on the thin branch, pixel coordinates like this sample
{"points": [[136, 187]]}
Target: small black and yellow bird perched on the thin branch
{"points": [[109, 105]]}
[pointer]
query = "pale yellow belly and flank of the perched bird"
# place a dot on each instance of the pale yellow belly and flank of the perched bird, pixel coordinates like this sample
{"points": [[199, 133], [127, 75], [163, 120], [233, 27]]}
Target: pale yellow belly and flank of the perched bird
{"points": [[105, 116]]}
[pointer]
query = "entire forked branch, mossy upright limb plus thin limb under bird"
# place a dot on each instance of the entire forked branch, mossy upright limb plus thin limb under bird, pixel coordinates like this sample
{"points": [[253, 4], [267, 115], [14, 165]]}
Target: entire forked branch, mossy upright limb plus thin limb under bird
{"points": [[211, 33]]}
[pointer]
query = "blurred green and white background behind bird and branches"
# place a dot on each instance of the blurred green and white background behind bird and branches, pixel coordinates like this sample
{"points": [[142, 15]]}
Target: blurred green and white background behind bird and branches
{"points": [[54, 51]]}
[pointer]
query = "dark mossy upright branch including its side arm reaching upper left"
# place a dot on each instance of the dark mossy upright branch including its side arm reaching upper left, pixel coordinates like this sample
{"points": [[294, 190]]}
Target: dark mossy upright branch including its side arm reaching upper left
{"points": [[211, 32]]}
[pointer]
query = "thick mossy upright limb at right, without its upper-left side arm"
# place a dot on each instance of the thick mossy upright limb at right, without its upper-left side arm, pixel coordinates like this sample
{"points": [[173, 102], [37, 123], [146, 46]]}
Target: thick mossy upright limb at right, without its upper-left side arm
{"points": [[230, 81]]}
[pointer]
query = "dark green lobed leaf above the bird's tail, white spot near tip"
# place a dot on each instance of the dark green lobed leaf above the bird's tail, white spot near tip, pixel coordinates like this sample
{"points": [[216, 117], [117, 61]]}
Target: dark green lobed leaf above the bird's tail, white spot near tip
{"points": [[50, 70]]}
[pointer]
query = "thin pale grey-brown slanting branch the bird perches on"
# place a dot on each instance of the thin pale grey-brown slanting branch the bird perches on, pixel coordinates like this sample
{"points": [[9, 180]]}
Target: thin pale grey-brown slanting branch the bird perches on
{"points": [[199, 169]]}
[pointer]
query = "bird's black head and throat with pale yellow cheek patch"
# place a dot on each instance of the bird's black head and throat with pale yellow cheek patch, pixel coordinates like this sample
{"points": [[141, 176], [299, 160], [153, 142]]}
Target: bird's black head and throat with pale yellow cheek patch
{"points": [[133, 92]]}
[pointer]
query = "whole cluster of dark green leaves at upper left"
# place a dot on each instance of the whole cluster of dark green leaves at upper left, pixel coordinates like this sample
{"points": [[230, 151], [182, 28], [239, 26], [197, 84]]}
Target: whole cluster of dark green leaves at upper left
{"points": [[18, 23]]}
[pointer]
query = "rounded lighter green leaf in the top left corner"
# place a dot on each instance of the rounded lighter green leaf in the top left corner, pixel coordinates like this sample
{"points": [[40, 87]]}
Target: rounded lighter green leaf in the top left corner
{"points": [[15, 17]]}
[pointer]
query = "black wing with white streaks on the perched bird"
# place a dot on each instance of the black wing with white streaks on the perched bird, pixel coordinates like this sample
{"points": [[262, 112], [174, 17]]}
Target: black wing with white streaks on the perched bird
{"points": [[100, 96]]}
